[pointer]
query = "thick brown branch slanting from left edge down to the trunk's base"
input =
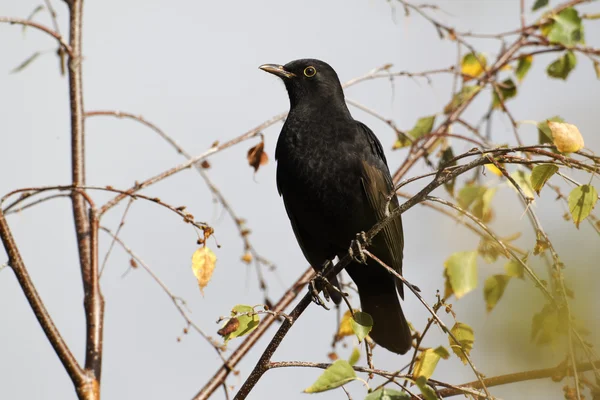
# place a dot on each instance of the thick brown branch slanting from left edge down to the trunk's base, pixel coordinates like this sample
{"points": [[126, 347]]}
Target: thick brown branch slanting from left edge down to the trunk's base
{"points": [[75, 372]]}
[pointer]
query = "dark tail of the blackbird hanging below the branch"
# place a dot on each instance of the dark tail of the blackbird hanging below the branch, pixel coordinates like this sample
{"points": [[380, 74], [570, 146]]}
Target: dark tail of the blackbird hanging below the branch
{"points": [[390, 328]]}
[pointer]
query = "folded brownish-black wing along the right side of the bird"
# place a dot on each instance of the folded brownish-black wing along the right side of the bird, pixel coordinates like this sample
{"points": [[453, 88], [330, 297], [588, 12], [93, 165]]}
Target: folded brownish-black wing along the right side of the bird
{"points": [[377, 185]]}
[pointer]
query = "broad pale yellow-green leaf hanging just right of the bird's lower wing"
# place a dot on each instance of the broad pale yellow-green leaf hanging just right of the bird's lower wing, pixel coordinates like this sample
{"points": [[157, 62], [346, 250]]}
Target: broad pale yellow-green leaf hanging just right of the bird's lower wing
{"points": [[461, 271]]}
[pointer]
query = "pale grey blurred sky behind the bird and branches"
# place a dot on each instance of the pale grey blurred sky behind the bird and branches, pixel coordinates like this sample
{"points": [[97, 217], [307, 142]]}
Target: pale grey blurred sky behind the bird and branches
{"points": [[192, 69]]}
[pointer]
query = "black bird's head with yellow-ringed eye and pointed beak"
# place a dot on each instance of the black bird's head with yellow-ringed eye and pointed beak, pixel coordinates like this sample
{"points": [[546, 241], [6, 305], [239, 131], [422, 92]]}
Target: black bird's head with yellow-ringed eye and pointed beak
{"points": [[308, 81]]}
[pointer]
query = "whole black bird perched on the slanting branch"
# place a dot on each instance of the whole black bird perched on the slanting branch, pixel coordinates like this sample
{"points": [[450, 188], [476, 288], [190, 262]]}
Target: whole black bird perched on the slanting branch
{"points": [[334, 179]]}
